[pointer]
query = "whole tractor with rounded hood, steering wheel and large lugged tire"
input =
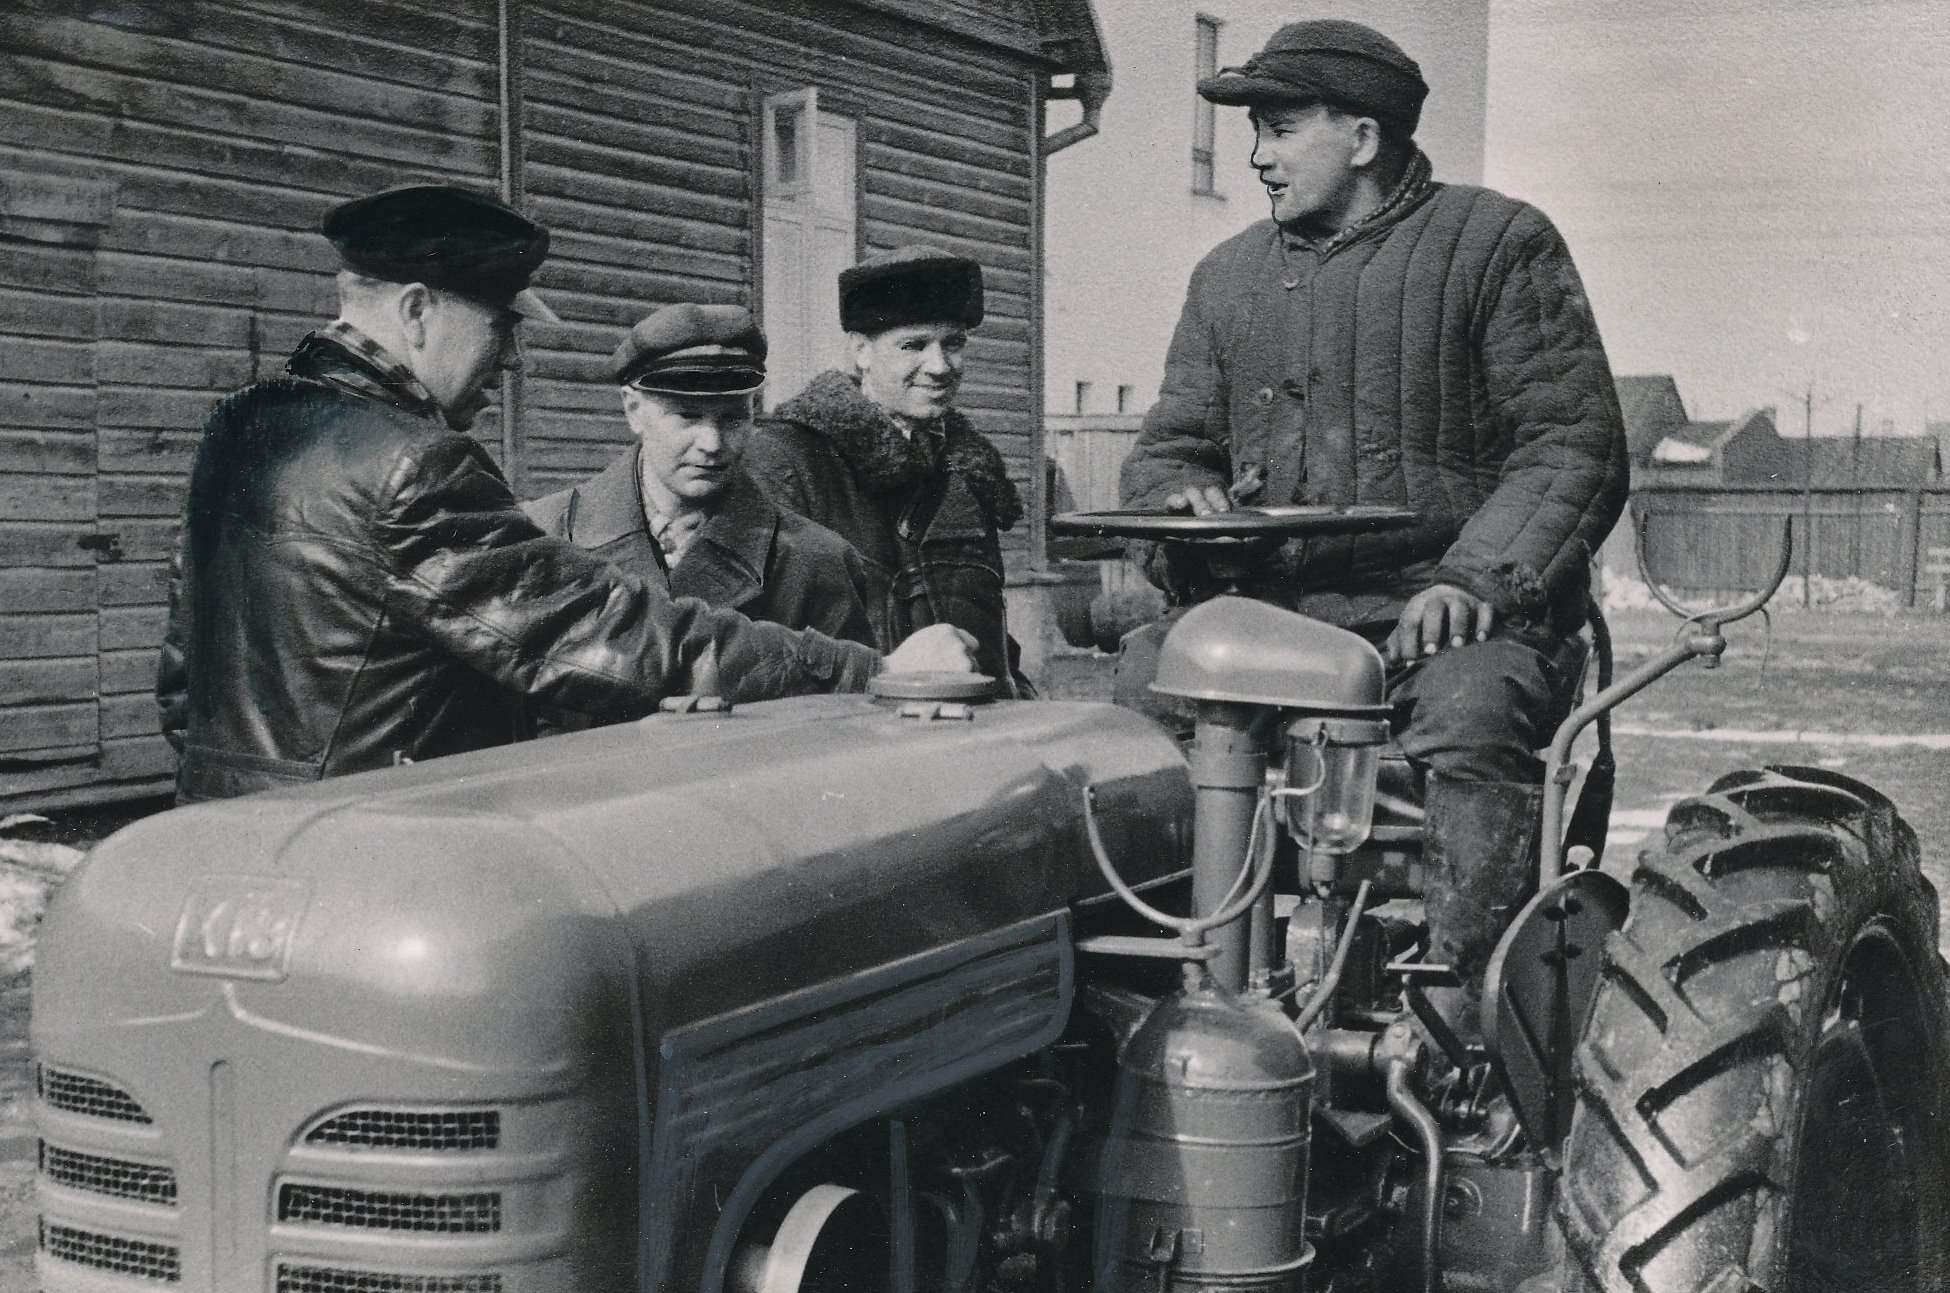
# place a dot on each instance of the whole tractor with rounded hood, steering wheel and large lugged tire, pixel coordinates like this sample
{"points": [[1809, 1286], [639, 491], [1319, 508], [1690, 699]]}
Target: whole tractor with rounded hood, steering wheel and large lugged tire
{"points": [[933, 994]]}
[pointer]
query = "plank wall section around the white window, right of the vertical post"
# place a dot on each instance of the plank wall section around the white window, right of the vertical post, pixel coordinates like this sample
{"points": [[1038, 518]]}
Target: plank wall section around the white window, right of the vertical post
{"points": [[641, 157]]}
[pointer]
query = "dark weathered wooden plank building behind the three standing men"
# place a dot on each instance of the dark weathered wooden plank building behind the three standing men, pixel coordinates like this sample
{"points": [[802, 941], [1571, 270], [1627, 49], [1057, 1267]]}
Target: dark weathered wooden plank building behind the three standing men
{"points": [[165, 167]]}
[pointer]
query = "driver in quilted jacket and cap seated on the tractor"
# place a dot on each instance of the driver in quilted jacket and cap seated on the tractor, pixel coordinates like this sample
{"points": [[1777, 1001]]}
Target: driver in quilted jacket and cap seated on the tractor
{"points": [[1385, 338]]}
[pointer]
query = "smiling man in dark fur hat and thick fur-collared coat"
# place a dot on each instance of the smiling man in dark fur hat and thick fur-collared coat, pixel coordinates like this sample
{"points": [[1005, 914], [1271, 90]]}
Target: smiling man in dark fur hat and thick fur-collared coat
{"points": [[882, 457]]}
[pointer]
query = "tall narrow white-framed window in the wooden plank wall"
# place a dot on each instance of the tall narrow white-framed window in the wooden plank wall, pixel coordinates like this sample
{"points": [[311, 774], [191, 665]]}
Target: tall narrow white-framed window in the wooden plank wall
{"points": [[810, 217]]}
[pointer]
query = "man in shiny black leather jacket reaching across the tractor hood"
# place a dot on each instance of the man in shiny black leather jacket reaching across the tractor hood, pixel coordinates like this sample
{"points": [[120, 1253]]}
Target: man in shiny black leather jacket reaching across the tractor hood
{"points": [[356, 586]]}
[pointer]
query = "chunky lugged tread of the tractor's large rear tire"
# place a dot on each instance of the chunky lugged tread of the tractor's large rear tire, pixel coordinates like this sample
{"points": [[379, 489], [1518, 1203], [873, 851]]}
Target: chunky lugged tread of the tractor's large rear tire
{"points": [[1711, 996]]}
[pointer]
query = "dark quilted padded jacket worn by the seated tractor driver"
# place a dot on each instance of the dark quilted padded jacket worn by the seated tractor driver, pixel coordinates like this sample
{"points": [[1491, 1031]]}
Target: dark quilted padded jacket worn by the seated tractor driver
{"points": [[1438, 358]]}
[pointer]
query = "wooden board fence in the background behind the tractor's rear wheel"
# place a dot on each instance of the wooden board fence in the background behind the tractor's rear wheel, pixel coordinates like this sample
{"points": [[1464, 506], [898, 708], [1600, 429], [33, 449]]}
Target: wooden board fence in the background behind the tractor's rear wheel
{"points": [[1721, 539]]}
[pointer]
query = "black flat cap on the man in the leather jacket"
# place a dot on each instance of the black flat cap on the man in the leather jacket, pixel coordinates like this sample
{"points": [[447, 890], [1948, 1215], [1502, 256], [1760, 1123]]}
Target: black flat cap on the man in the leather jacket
{"points": [[444, 237]]}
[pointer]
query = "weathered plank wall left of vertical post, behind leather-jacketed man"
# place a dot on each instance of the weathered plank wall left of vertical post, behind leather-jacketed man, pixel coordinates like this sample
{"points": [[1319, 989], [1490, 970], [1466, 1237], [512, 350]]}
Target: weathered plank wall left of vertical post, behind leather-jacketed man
{"points": [[225, 132]]}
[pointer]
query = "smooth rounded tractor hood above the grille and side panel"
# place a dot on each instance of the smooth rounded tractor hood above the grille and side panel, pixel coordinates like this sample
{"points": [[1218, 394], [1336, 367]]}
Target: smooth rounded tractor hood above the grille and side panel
{"points": [[461, 910]]}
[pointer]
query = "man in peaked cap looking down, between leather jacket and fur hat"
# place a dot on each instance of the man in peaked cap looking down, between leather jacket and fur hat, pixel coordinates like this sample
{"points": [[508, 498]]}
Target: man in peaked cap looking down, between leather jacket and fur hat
{"points": [[680, 508]]}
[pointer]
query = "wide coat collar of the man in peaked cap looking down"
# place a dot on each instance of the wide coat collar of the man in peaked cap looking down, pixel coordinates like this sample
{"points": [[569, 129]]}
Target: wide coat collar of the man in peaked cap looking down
{"points": [[724, 563]]}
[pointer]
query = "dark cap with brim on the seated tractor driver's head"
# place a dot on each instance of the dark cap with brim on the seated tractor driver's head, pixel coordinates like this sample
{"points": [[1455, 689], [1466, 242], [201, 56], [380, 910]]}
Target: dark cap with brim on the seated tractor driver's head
{"points": [[1329, 61]]}
